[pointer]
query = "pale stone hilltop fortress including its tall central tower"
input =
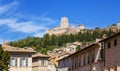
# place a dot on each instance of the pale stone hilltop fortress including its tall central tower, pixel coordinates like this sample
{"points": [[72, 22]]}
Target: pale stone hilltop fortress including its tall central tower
{"points": [[64, 28]]}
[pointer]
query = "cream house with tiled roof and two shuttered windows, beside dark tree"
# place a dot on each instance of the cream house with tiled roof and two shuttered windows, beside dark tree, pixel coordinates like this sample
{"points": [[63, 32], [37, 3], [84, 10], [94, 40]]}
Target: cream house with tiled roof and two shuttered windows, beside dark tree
{"points": [[20, 58]]}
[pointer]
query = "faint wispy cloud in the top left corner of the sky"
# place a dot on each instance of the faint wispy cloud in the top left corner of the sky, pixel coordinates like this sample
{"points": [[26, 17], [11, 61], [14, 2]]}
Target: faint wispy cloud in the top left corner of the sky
{"points": [[8, 7]]}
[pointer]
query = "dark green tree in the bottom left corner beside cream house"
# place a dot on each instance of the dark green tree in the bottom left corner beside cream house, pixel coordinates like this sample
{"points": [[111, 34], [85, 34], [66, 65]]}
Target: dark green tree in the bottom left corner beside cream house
{"points": [[4, 60]]}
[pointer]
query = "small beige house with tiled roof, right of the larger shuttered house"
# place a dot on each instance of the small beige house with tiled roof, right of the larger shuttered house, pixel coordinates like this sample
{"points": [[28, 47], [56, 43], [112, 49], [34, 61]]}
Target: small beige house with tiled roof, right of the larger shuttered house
{"points": [[40, 62]]}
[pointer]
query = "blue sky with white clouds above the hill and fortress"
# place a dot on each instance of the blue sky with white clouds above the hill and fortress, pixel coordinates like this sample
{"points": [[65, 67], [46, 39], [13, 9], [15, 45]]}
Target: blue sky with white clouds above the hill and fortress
{"points": [[22, 18]]}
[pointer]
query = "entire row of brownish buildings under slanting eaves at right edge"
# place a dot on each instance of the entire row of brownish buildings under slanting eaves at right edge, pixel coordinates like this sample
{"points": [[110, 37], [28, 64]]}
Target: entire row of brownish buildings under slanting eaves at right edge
{"points": [[100, 56]]}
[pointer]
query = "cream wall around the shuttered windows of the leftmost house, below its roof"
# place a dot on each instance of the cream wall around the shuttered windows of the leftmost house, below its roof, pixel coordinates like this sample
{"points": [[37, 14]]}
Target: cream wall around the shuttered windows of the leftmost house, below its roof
{"points": [[17, 67]]}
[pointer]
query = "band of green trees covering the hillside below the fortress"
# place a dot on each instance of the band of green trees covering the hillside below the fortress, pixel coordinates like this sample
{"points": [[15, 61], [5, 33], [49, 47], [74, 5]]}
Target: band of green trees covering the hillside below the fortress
{"points": [[50, 42]]}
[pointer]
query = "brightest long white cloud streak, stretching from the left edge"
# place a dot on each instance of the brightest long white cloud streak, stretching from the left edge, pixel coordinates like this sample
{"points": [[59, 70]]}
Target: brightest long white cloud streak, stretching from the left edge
{"points": [[25, 27]]}
